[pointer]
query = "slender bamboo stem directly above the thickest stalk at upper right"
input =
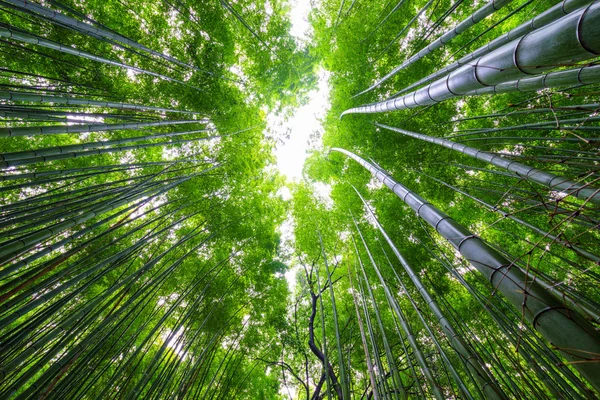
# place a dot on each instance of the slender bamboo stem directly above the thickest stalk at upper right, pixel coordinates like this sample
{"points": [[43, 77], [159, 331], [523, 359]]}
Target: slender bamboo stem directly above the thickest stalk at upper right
{"points": [[545, 18]]}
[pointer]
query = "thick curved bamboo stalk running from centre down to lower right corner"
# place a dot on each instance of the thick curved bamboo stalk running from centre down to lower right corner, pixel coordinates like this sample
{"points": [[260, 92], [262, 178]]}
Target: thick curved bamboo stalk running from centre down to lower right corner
{"points": [[572, 335]]}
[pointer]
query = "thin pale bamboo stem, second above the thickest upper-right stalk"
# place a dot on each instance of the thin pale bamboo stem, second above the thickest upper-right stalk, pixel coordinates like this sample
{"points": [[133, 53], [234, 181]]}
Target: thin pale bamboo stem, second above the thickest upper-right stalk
{"points": [[488, 9]]}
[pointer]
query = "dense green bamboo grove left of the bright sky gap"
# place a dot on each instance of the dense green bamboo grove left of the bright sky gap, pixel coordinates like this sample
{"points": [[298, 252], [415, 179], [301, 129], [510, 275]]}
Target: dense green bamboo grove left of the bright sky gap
{"points": [[133, 266]]}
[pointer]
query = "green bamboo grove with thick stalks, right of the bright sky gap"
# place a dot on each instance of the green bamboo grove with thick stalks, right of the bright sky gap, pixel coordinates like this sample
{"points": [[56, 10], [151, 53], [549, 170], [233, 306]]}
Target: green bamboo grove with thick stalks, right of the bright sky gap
{"points": [[461, 155]]}
